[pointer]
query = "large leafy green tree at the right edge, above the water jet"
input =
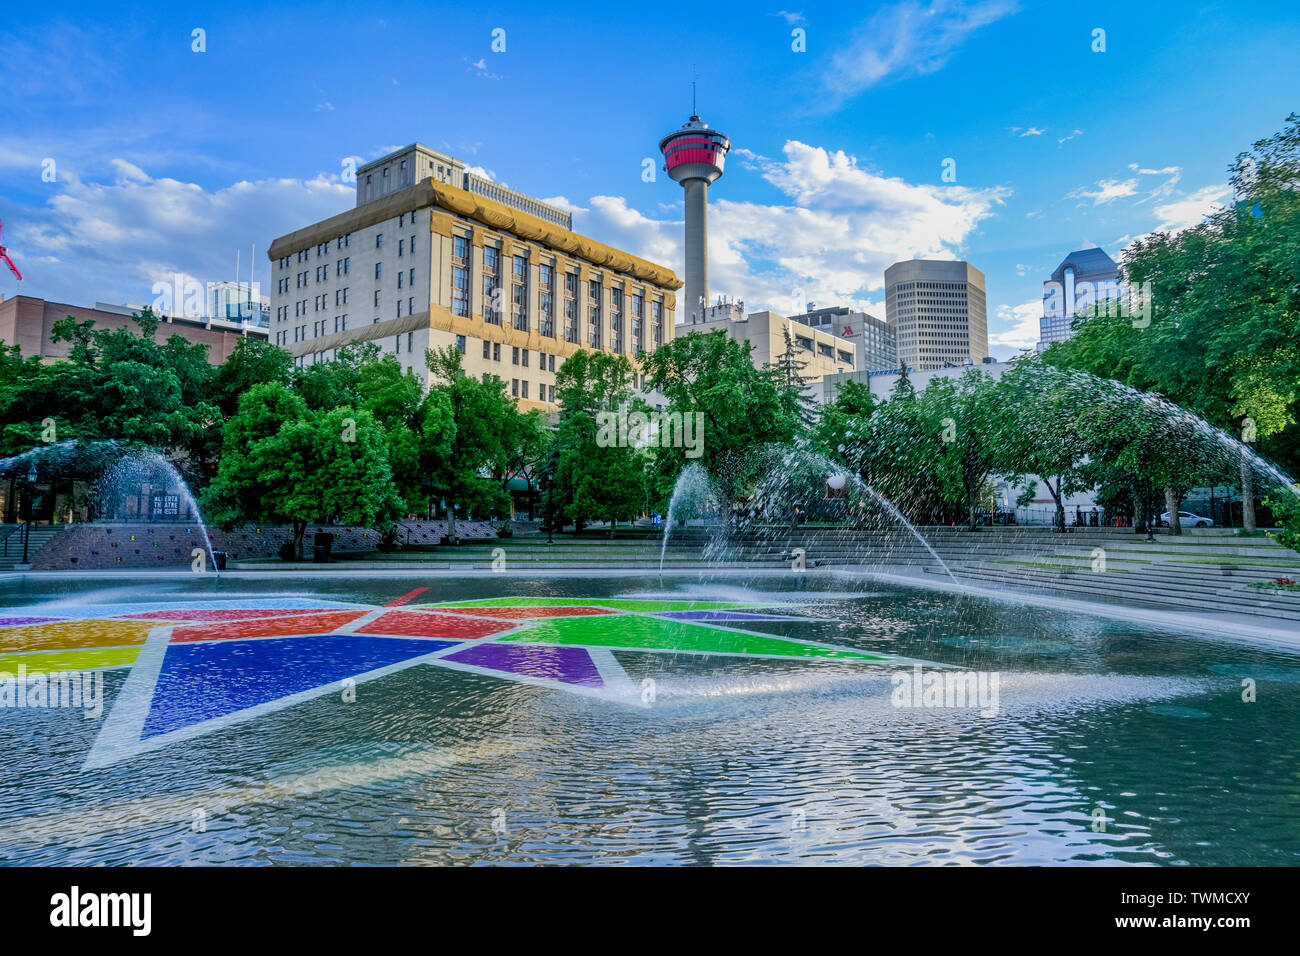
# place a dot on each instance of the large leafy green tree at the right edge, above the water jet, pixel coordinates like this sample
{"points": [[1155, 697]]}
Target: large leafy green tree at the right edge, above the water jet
{"points": [[1224, 332]]}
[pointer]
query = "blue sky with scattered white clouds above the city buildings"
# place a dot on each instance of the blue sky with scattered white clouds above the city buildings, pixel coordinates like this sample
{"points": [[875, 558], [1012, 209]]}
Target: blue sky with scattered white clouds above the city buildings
{"points": [[170, 161]]}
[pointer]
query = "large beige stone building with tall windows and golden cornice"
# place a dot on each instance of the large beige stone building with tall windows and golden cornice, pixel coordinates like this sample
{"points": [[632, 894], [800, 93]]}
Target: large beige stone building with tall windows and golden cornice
{"points": [[436, 257]]}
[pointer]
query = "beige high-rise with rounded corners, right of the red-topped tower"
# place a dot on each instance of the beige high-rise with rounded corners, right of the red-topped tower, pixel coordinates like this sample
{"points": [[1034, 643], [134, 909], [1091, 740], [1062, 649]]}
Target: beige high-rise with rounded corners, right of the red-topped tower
{"points": [[938, 312]]}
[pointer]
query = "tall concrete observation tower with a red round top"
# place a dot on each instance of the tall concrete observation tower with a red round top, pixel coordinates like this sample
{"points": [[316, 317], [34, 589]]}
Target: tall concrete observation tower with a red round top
{"points": [[694, 157]]}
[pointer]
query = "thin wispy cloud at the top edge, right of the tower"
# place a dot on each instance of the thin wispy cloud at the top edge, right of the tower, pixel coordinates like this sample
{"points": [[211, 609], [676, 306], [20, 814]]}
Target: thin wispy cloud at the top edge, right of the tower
{"points": [[908, 40]]}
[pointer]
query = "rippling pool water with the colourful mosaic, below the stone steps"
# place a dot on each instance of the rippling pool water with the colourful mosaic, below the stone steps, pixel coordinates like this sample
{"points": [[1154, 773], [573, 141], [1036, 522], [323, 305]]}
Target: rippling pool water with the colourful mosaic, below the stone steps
{"points": [[317, 720]]}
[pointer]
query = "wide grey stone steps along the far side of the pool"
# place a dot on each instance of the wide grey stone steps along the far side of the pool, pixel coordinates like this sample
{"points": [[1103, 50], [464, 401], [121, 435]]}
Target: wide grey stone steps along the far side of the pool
{"points": [[1197, 572]]}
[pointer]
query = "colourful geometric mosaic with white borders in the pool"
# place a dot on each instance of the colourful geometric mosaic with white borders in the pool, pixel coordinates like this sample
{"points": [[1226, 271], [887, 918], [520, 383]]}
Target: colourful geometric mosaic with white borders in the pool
{"points": [[200, 667]]}
